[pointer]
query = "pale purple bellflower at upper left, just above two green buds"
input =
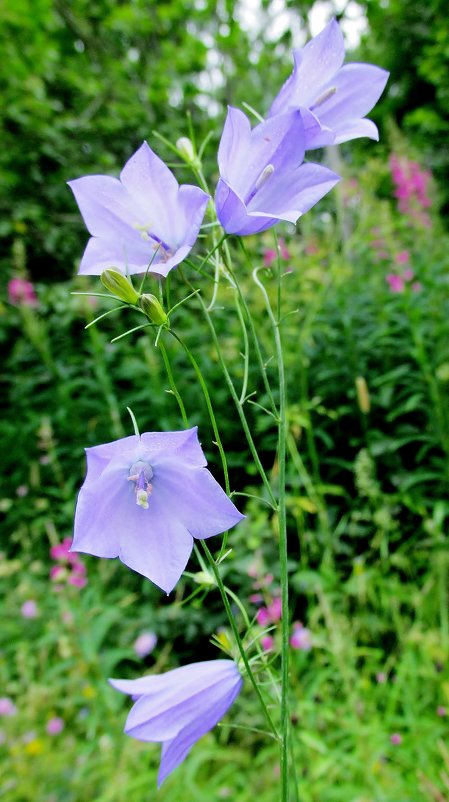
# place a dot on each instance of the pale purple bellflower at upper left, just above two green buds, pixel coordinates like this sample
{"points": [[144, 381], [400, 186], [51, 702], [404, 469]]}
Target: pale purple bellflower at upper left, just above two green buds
{"points": [[143, 217]]}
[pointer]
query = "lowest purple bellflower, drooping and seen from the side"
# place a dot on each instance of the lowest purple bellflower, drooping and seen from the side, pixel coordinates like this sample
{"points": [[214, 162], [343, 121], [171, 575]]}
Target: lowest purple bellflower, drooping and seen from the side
{"points": [[179, 707]]}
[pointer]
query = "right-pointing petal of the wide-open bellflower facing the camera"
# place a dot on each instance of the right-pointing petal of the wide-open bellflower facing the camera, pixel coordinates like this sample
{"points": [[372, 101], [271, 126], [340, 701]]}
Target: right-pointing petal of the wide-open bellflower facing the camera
{"points": [[201, 504]]}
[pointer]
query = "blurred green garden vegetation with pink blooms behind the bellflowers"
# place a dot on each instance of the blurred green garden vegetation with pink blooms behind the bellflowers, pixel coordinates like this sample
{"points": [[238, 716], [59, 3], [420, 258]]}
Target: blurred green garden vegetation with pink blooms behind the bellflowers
{"points": [[368, 376]]}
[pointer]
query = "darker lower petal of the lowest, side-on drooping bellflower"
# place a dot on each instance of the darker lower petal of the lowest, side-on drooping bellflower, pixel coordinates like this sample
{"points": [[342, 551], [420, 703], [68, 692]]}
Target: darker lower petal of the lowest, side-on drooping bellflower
{"points": [[175, 750]]}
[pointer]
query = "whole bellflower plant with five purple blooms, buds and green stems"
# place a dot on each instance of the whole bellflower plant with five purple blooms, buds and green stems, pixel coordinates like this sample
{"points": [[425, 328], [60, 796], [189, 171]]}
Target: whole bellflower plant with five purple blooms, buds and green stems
{"points": [[146, 498]]}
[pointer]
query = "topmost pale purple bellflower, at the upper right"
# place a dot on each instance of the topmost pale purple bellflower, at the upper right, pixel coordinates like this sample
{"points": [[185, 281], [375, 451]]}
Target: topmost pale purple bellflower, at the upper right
{"points": [[334, 99]]}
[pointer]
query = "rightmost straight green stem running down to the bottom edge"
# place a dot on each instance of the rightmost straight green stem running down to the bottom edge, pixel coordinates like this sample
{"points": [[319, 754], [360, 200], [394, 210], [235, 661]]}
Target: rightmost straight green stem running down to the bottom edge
{"points": [[283, 553]]}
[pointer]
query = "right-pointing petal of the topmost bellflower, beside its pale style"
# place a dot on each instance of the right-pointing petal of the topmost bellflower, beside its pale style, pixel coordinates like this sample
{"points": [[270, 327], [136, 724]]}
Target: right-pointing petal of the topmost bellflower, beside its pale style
{"points": [[358, 88]]}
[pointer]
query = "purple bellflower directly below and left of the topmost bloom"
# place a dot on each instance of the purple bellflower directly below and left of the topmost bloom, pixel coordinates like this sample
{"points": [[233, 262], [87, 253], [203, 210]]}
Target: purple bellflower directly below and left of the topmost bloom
{"points": [[262, 177]]}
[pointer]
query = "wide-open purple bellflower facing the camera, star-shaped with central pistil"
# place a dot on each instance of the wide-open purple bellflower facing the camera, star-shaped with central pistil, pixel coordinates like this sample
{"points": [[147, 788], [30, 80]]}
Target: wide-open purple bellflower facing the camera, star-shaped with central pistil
{"points": [[145, 498]]}
